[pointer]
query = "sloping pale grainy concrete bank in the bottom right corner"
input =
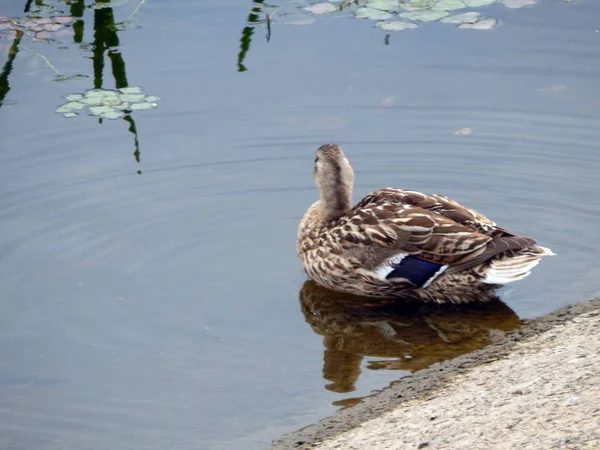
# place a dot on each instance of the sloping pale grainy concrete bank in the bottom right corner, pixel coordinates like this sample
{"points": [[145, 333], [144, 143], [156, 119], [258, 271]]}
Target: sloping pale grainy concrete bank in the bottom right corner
{"points": [[537, 389]]}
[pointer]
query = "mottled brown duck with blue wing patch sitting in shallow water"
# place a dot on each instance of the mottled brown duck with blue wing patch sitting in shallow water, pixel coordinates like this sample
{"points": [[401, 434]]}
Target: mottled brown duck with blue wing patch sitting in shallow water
{"points": [[402, 243]]}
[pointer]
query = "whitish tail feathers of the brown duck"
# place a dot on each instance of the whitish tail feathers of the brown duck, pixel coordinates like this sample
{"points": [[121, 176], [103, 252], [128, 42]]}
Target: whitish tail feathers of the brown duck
{"points": [[514, 265]]}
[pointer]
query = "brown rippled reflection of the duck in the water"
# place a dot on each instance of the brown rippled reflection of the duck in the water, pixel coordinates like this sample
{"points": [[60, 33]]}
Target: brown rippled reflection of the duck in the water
{"points": [[413, 335]]}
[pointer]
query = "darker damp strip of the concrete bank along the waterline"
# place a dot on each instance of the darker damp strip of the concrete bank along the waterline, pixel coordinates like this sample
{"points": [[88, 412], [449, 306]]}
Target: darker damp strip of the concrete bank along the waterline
{"points": [[424, 381]]}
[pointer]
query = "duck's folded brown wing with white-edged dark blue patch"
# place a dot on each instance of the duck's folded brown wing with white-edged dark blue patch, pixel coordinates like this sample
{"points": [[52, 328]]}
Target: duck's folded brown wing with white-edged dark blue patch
{"points": [[406, 234]]}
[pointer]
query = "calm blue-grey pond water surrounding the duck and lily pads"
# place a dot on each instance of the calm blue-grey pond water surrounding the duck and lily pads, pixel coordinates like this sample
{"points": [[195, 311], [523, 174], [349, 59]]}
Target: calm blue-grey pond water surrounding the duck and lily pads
{"points": [[163, 309]]}
